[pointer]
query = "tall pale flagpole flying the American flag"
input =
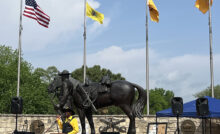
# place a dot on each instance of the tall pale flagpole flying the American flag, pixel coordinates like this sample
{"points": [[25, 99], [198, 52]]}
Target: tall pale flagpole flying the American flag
{"points": [[19, 50]]}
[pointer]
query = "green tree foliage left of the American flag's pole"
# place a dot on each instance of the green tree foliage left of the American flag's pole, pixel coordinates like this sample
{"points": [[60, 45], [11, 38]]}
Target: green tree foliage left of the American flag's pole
{"points": [[8, 62]]}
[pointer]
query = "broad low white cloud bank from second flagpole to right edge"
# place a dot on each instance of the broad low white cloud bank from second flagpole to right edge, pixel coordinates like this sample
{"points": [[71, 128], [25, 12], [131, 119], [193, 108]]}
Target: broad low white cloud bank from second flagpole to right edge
{"points": [[185, 75]]}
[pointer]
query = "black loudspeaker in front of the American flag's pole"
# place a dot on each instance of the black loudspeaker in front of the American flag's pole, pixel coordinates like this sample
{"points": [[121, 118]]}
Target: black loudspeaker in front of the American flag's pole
{"points": [[16, 105]]}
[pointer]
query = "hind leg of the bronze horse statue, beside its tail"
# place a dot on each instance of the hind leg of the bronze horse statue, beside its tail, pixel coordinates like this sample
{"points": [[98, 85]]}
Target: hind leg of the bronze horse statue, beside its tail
{"points": [[128, 111]]}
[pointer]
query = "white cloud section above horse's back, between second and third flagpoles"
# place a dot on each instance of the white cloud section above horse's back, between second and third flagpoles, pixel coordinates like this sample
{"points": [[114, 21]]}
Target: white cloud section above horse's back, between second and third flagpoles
{"points": [[121, 61]]}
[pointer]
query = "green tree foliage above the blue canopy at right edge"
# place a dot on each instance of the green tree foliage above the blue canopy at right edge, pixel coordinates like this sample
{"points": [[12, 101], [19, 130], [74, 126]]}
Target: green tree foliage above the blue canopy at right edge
{"points": [[207, 92]]}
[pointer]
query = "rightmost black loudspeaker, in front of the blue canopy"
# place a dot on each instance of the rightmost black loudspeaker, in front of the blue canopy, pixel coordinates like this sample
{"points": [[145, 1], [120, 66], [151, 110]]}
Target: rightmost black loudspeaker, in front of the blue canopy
{"points": [[202, 106]]}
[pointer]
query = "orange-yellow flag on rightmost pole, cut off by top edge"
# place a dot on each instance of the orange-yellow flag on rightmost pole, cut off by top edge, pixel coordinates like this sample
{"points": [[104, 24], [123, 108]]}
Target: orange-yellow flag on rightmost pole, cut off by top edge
{"points": [[203, 5]]}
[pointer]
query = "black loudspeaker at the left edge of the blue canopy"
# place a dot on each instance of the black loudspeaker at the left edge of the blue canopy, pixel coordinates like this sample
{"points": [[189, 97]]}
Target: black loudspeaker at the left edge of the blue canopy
{"points": [[177, 105]]}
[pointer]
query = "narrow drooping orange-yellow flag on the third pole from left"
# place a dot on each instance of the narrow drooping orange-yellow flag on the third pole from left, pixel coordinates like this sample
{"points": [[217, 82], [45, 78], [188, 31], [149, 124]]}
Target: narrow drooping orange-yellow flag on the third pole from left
{"points": [[154, 14]]}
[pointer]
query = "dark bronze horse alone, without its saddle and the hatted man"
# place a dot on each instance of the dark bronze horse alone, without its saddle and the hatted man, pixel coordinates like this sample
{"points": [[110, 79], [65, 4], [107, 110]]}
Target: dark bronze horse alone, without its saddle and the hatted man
{"points": [[121, 94]]}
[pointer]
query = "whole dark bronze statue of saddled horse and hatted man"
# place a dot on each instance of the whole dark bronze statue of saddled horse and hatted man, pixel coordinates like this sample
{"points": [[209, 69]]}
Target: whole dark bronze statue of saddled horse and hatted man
{"points": [[119, 93]]}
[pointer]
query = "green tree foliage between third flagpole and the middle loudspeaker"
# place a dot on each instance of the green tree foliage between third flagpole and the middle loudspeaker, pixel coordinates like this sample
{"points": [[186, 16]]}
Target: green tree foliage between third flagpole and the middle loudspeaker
{"points": [[160, 99]]}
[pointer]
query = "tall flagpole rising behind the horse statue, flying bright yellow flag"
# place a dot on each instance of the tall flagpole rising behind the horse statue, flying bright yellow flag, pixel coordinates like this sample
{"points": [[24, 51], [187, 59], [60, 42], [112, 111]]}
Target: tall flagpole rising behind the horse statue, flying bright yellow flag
{"points": [[84, 35]]}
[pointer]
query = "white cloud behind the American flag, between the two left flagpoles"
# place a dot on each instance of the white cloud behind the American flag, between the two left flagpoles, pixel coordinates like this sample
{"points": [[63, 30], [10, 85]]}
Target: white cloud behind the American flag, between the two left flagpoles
{"points": [[66, 20]]}
